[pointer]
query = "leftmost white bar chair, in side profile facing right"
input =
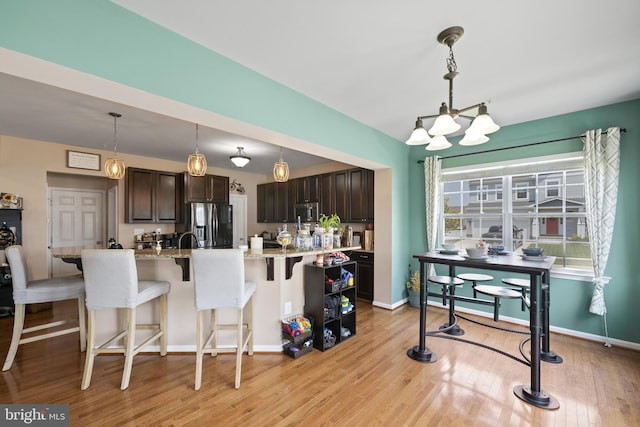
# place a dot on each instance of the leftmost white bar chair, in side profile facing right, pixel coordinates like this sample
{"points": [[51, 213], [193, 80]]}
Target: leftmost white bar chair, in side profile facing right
{"points": [[39, 291]]}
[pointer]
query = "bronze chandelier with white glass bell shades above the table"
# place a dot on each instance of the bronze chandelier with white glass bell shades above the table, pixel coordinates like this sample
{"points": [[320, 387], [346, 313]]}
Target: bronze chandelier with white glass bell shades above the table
{"points": [[445, 123]]}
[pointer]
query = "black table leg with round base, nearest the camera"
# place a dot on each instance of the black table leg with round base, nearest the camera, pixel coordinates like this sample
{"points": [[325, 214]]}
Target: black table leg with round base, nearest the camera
{"points": [[533, 394]]}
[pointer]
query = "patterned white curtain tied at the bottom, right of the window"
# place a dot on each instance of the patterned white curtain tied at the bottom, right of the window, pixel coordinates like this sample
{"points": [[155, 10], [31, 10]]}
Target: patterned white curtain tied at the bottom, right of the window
{"points": [[602, 167]]}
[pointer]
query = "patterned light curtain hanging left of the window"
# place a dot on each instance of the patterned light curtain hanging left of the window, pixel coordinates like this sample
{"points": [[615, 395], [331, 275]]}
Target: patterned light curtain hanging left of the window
{"points": [[432, 181]]}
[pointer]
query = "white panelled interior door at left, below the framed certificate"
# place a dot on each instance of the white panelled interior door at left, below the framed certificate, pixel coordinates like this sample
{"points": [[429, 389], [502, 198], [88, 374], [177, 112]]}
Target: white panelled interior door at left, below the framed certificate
{"points": [[77, 219]]}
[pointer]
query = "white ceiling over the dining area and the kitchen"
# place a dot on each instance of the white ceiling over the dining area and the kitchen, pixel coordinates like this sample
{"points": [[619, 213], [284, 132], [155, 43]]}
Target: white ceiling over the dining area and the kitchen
{"points": [[375, 61]]}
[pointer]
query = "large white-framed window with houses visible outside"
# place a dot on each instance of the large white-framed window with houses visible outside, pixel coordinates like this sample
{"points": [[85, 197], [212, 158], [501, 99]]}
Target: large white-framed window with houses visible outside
{"points": [[540, 203]]}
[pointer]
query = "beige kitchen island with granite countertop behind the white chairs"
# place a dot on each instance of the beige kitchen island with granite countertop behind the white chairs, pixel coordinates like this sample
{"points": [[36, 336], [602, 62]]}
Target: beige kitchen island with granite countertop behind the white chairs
{"points": [[280, 292]]}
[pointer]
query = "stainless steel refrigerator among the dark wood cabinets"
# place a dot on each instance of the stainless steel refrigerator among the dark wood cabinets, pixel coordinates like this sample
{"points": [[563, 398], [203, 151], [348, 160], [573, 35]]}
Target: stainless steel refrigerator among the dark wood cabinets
{"points": [[212, 224]]}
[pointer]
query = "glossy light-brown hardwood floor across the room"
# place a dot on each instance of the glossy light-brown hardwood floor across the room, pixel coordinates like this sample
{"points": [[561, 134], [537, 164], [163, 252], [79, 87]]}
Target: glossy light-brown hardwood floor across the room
{"points": [[367, 380]]}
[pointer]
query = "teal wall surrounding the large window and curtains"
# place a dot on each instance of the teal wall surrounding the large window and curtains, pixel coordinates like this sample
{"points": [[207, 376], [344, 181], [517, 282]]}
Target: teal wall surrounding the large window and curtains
{"points": [[570, 298]]}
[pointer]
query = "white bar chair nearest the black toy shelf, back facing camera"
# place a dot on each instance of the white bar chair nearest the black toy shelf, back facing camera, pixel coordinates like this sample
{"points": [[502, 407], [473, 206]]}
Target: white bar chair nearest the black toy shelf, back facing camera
{"points": [[218, 277]]}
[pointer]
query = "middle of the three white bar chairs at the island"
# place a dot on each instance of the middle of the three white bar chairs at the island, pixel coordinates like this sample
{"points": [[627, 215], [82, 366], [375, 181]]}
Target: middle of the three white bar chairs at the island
{"points": [[111, 282]]}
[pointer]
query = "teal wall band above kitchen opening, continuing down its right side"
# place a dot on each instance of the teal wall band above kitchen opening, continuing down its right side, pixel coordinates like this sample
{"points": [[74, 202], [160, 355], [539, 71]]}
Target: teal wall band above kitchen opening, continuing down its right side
{"points": [[100, 38]]}
